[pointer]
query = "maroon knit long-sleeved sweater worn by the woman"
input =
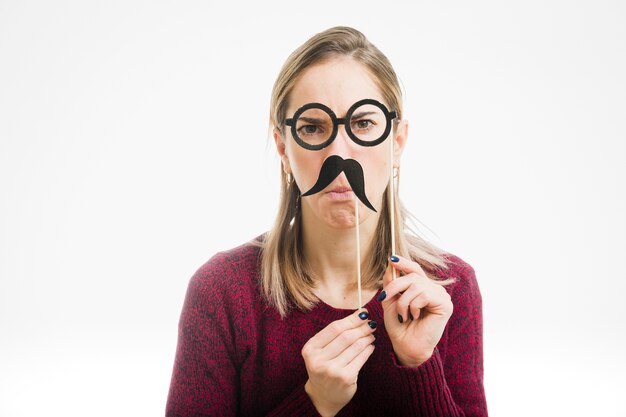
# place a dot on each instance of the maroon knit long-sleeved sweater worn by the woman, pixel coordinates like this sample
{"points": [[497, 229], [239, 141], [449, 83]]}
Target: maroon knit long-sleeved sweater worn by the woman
{"points": [[237, 357]]}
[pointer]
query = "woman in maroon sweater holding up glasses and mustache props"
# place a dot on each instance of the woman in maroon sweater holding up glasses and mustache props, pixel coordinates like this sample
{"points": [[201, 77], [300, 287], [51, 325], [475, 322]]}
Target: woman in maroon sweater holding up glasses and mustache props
{"points": [[272, 327]]}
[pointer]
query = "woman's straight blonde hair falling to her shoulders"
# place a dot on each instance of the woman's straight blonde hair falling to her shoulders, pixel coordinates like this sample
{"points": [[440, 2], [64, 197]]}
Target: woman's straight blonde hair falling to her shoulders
{"points": [[286, 278]]}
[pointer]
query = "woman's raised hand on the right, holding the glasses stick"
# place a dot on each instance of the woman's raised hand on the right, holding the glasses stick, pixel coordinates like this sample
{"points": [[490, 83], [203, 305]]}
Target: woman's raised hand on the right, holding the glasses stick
{"points": [[416, 312]]}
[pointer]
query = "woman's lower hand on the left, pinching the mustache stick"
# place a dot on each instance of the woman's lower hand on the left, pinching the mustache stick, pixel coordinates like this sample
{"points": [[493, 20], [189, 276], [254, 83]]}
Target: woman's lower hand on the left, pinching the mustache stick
{"points": [[333, 359]]}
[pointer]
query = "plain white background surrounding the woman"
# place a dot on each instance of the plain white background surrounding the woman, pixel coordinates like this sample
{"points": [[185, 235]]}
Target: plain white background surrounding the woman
{"points": [[133, 146]]}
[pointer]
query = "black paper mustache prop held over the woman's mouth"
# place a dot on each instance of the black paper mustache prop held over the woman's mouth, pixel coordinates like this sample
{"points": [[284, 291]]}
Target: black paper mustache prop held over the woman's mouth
{"points": [[335, 165]]}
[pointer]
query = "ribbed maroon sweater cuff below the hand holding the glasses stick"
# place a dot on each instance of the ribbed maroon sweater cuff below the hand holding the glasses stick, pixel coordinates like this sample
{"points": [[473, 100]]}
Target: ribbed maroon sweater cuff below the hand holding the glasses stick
{"points": [[425, 388]]}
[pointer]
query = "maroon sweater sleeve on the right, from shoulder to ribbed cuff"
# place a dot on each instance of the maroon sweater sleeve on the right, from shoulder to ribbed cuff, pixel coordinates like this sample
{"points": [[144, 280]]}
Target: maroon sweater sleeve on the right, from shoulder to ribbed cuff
{"points": [[451, 384]]}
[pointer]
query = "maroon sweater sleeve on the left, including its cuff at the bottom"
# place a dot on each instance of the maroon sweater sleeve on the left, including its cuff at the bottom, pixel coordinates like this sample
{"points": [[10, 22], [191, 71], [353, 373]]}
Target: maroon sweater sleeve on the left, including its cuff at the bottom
{"points": [[211, 348]]}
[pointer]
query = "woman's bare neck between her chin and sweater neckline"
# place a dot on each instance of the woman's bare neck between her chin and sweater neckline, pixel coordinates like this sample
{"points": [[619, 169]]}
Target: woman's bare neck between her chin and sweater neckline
{"points": [[332, 258]]}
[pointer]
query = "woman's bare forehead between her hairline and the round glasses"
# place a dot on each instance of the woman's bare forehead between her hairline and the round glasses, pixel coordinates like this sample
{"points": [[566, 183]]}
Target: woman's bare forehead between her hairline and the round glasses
{"points": [[337, 83]]}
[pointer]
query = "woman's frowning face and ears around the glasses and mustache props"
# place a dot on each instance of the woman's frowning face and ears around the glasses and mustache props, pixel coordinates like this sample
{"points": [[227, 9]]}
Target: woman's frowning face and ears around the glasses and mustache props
{"points": [[338, 84]]}
